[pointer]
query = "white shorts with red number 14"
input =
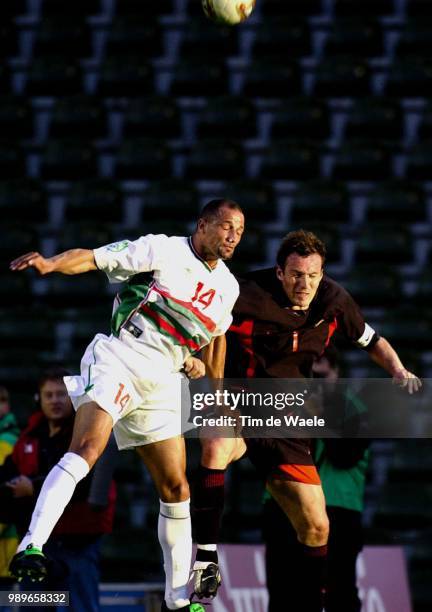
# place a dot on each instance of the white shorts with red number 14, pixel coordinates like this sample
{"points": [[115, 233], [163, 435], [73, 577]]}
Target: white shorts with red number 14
{"points": [[139, 391]]}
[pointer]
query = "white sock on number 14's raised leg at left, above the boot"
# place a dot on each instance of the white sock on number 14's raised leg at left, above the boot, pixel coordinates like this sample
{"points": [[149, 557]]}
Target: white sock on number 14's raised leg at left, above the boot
{"points": [[55, 494]]}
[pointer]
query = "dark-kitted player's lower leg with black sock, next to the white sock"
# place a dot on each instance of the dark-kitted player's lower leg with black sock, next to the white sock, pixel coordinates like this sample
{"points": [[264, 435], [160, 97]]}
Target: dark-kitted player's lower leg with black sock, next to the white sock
{"points": [[209, 498]]}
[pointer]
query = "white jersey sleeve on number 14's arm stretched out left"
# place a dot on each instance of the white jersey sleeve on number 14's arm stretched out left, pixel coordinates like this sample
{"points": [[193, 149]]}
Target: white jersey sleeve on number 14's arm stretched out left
{"points": [[121, 260]]}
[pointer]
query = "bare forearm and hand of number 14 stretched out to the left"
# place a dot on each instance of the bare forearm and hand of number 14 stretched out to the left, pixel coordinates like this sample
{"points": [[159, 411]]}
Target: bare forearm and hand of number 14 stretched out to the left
{"points": [[74, 261]]}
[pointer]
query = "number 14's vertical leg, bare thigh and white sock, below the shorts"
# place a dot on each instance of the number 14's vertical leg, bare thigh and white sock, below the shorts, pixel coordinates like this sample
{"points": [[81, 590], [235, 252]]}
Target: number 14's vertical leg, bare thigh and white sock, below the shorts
{"points": [[166, 462]]}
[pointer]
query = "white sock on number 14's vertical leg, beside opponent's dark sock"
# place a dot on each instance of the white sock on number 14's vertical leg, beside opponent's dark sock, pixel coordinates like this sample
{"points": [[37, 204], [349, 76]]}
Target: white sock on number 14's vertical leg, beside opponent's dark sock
{"points": [[175, 537]]}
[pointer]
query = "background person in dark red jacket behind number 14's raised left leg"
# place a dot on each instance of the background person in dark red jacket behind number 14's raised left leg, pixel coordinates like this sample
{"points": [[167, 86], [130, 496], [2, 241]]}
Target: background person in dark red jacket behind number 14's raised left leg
{"points": [[74, 546]]}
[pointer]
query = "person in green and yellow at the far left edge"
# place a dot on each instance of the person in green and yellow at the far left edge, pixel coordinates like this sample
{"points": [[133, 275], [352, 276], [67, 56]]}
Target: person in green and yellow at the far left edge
{"points": [[9, 433]]}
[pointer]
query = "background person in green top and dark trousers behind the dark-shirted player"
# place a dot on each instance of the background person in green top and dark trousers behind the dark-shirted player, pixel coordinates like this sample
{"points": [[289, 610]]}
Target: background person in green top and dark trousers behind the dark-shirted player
{"points": [[342, 465]]}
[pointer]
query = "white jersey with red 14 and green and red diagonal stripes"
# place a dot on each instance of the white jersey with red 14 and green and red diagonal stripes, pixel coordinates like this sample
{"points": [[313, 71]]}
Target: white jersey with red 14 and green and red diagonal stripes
{"points": [[178, 305]]}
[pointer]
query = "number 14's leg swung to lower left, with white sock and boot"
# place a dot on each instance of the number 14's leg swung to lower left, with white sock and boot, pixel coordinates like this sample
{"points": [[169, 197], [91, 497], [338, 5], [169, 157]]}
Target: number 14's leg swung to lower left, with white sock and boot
{"points": [[92, 428]]}
